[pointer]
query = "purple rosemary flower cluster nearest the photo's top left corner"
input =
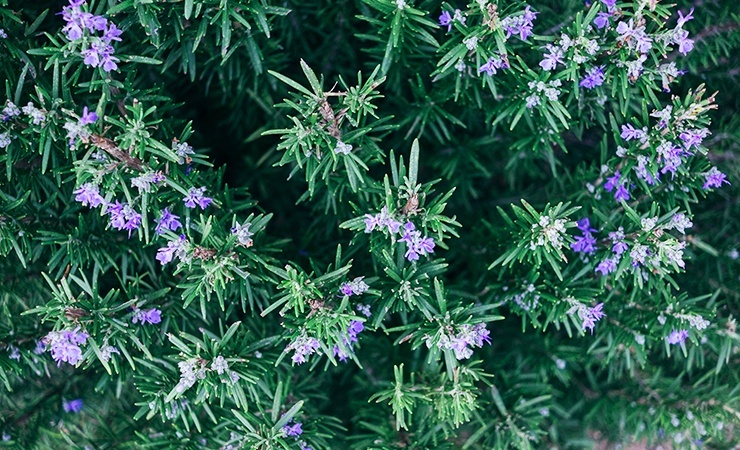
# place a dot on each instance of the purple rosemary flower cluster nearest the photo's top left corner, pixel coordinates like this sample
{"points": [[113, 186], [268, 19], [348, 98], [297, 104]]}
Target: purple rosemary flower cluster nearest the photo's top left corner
{"points": [[84, 27]]}
